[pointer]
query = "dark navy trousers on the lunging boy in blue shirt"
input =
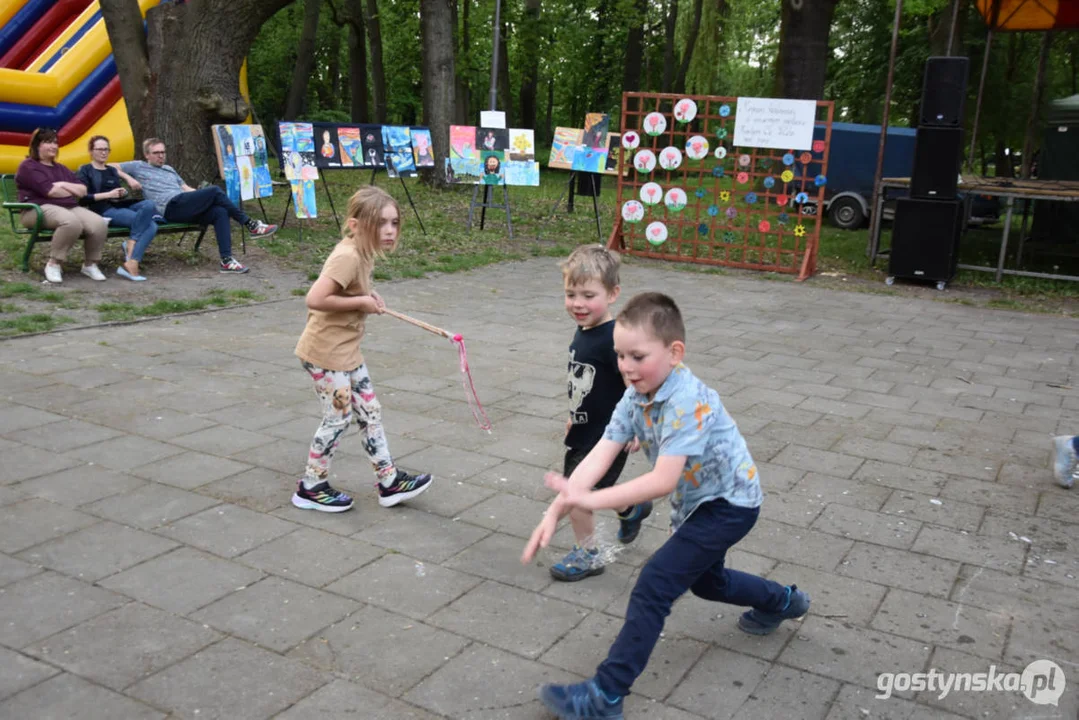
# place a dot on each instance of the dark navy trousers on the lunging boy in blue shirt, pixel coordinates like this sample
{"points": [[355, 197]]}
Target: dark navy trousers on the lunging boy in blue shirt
{"points": [[691, 560]]}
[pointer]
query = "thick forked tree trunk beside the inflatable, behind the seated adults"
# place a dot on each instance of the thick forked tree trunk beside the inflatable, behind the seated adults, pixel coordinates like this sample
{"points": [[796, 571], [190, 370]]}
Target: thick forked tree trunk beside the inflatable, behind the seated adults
{"points": [[183, 75]]}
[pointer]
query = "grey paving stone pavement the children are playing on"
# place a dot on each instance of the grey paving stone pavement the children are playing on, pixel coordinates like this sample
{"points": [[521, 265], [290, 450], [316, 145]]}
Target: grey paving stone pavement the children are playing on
{"points": [[152, 565]]}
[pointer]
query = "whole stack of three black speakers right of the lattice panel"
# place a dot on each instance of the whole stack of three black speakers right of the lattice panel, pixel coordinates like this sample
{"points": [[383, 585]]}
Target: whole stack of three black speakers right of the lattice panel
{"points": [[926, 232]]}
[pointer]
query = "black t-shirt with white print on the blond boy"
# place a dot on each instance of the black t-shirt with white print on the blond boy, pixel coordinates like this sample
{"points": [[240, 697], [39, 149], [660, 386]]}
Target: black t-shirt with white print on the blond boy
{"points": [[595, 385]]}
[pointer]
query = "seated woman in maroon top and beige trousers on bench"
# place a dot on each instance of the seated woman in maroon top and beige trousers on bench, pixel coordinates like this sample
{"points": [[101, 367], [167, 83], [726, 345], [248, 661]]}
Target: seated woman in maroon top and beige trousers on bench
{"points": [[43, 181]]}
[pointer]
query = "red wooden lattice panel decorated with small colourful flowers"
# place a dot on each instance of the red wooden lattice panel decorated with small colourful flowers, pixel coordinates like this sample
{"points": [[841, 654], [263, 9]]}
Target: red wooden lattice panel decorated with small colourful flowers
{"points": [[722, 223]]}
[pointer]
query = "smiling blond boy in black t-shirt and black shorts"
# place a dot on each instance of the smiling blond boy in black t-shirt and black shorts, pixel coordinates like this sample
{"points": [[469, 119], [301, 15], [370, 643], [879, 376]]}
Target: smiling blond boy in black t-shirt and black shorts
{"points": [[591, 277]]}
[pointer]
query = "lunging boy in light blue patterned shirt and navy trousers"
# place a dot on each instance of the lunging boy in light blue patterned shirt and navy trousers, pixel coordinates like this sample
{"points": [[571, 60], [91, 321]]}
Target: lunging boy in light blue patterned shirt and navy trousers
{"points": [[702, 460]]}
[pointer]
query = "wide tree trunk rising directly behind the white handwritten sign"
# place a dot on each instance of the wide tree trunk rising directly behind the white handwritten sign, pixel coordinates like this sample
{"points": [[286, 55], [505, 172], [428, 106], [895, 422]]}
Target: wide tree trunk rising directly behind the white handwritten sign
{"points": [[802, 66]]}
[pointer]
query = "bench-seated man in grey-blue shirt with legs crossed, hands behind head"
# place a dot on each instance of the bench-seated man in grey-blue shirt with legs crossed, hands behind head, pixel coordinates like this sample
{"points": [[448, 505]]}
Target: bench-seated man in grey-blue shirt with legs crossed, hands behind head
{"points": [[179, 202]]}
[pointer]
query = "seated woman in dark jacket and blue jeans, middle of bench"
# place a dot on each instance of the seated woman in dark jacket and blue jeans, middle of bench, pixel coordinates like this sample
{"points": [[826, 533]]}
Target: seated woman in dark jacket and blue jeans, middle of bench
{"points": [[108, 198]]}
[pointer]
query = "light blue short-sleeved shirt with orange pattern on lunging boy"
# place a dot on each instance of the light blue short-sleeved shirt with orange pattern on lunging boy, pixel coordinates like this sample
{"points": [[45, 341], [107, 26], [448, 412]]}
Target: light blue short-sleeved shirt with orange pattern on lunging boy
{"points": [[687, 418]]}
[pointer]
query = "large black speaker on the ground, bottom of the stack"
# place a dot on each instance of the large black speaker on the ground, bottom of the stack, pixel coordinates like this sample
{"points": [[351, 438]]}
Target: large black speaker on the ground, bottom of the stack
{"points": [[925, 239]]}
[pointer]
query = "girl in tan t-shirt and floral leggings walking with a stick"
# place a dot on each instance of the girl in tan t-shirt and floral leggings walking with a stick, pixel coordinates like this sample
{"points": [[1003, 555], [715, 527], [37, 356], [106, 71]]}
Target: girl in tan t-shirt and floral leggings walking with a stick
{"points": [[338, 304]]}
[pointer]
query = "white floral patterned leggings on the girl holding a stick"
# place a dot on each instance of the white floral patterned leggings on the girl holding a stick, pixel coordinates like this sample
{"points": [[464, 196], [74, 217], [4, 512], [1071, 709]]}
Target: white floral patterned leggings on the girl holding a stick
{"points": [[344, 393]]}
